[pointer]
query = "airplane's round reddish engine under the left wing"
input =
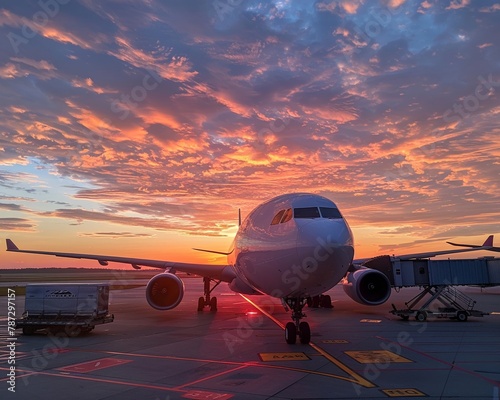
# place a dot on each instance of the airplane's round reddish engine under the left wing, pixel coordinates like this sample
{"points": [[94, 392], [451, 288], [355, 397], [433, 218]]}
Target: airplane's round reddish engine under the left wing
{"points": [[164, 291]]}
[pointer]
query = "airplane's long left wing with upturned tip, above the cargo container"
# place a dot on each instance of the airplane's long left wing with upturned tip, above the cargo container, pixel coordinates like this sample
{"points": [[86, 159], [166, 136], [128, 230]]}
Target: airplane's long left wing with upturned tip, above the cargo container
{"points": [[224, 273]]}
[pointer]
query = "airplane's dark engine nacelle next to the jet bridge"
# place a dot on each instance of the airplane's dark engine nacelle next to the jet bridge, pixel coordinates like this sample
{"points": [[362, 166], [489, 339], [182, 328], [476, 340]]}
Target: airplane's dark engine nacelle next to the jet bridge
{"points": [[367, 286]]}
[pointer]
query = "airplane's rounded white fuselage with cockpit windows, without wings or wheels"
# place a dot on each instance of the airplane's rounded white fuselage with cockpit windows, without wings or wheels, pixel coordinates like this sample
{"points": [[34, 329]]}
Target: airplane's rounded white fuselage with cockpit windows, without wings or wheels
{"points": [[295, 245]]}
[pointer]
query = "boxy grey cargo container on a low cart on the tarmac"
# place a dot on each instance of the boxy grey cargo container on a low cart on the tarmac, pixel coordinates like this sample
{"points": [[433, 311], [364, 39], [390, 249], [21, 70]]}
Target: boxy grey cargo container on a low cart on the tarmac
{"points": [[70, 308]]}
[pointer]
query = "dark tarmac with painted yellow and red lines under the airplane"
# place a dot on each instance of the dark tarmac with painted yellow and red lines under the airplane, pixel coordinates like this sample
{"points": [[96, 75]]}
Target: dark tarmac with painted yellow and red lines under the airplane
{"points": [[239, 352]]}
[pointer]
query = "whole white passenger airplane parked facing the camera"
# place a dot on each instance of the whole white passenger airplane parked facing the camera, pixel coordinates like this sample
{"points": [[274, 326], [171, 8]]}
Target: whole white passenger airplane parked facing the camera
{"points": [[293, 247]]}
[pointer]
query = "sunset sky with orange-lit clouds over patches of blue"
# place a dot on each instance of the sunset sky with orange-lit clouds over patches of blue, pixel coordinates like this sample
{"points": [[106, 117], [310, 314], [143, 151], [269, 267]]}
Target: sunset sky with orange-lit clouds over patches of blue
{"points": [[140, 127]]}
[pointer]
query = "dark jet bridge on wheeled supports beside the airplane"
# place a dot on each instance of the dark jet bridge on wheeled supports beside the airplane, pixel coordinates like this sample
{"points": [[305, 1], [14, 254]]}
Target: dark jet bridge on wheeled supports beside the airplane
{"points": [[439, 279]]}
